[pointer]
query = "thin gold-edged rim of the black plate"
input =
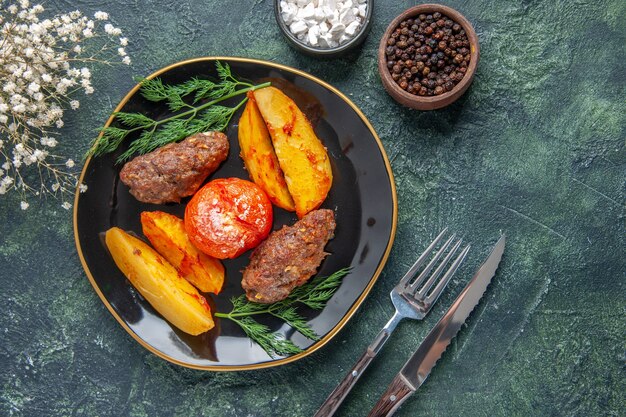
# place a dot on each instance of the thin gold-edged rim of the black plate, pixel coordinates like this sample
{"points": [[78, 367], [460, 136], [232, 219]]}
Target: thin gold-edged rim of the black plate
{"points": [[344, 320]]}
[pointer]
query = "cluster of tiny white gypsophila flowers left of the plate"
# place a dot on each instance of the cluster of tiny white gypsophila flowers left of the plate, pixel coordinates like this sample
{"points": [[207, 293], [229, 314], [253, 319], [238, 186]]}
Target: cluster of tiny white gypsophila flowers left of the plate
{"points": [[42, 61]]}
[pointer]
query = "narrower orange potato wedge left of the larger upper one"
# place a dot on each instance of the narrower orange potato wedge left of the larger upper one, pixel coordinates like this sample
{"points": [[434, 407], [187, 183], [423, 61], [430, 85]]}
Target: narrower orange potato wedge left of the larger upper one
{"points": [[259, 157]]}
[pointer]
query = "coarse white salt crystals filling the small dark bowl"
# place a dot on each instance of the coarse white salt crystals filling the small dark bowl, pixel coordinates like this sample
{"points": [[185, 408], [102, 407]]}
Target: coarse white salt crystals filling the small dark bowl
{"points": [[324, 23]]}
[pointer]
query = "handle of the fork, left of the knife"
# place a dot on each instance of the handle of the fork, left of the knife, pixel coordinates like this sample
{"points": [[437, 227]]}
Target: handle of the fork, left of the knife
{"points": [[336, 397]]}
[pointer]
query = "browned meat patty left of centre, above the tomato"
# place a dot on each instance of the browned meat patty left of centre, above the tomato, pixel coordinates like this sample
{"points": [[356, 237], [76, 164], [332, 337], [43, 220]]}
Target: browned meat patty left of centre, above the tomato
{"points": [[176, 170]]}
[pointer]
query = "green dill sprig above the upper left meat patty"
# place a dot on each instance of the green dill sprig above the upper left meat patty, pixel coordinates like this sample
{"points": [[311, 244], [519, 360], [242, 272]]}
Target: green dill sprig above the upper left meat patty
{"points": [[197, 103]]}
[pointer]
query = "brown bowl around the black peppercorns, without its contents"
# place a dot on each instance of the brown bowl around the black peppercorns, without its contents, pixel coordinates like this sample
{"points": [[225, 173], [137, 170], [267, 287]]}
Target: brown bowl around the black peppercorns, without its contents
{"points": [[428, 102]]}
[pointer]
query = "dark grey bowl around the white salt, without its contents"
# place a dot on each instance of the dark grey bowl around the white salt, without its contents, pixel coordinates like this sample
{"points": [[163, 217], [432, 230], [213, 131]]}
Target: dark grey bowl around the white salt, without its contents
{"points": [[315, 51]]}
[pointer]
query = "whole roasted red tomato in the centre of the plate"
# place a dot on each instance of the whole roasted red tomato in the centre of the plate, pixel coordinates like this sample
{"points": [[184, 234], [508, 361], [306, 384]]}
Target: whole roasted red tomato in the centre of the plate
{"points": [[227, 217]]}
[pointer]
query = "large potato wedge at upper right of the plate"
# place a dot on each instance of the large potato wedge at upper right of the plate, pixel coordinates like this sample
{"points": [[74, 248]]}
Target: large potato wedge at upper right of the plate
{"points": [[301, 155]]}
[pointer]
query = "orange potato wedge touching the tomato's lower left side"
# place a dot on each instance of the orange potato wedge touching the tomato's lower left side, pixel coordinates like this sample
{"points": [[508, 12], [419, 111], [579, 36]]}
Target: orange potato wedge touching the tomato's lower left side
{"points": [[167, 234]]}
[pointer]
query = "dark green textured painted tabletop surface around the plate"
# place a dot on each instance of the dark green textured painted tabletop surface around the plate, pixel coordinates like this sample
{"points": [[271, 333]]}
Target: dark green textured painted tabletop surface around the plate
{"points": [[534, 149]]}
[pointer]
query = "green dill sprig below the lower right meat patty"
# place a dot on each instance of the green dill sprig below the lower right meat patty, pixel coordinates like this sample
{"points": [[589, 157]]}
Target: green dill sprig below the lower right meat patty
{"points": [[313, 294]]}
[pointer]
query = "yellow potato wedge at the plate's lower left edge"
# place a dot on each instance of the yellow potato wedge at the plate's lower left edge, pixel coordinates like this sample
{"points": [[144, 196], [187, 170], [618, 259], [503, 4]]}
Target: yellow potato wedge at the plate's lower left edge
{"points": [[159, 283]]}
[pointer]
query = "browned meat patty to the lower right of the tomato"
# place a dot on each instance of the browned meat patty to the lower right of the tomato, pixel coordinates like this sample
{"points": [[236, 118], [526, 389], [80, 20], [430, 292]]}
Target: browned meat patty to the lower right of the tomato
{"points": [[288, 257]]}
